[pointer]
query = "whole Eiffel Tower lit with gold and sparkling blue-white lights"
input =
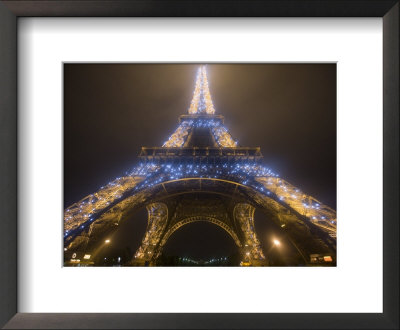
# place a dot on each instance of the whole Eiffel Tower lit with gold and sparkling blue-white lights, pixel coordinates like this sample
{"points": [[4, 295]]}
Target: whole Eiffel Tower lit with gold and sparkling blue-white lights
{"points": [[200, 174]]}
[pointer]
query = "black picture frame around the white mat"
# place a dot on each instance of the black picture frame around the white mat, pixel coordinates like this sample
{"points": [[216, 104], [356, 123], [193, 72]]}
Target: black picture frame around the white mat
{"points": [[388, 10]]}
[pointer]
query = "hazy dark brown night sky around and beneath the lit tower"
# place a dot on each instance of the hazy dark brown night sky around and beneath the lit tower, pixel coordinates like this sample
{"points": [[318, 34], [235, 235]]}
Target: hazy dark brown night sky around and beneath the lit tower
{"points": [[112, 110]]}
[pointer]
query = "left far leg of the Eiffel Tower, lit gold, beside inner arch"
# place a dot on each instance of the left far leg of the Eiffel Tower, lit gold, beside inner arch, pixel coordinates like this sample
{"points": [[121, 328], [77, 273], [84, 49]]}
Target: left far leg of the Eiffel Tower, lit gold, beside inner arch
{"points": [[149, 250]]}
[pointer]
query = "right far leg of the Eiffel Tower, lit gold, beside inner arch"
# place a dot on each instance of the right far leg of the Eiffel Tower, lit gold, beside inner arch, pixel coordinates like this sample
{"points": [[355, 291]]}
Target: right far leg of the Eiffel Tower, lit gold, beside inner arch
{"points": [[252, 253]]}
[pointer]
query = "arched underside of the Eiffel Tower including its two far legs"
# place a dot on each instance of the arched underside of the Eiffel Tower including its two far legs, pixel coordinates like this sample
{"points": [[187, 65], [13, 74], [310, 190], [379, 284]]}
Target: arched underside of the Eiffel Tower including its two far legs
{"points": [[174, 203]]}
